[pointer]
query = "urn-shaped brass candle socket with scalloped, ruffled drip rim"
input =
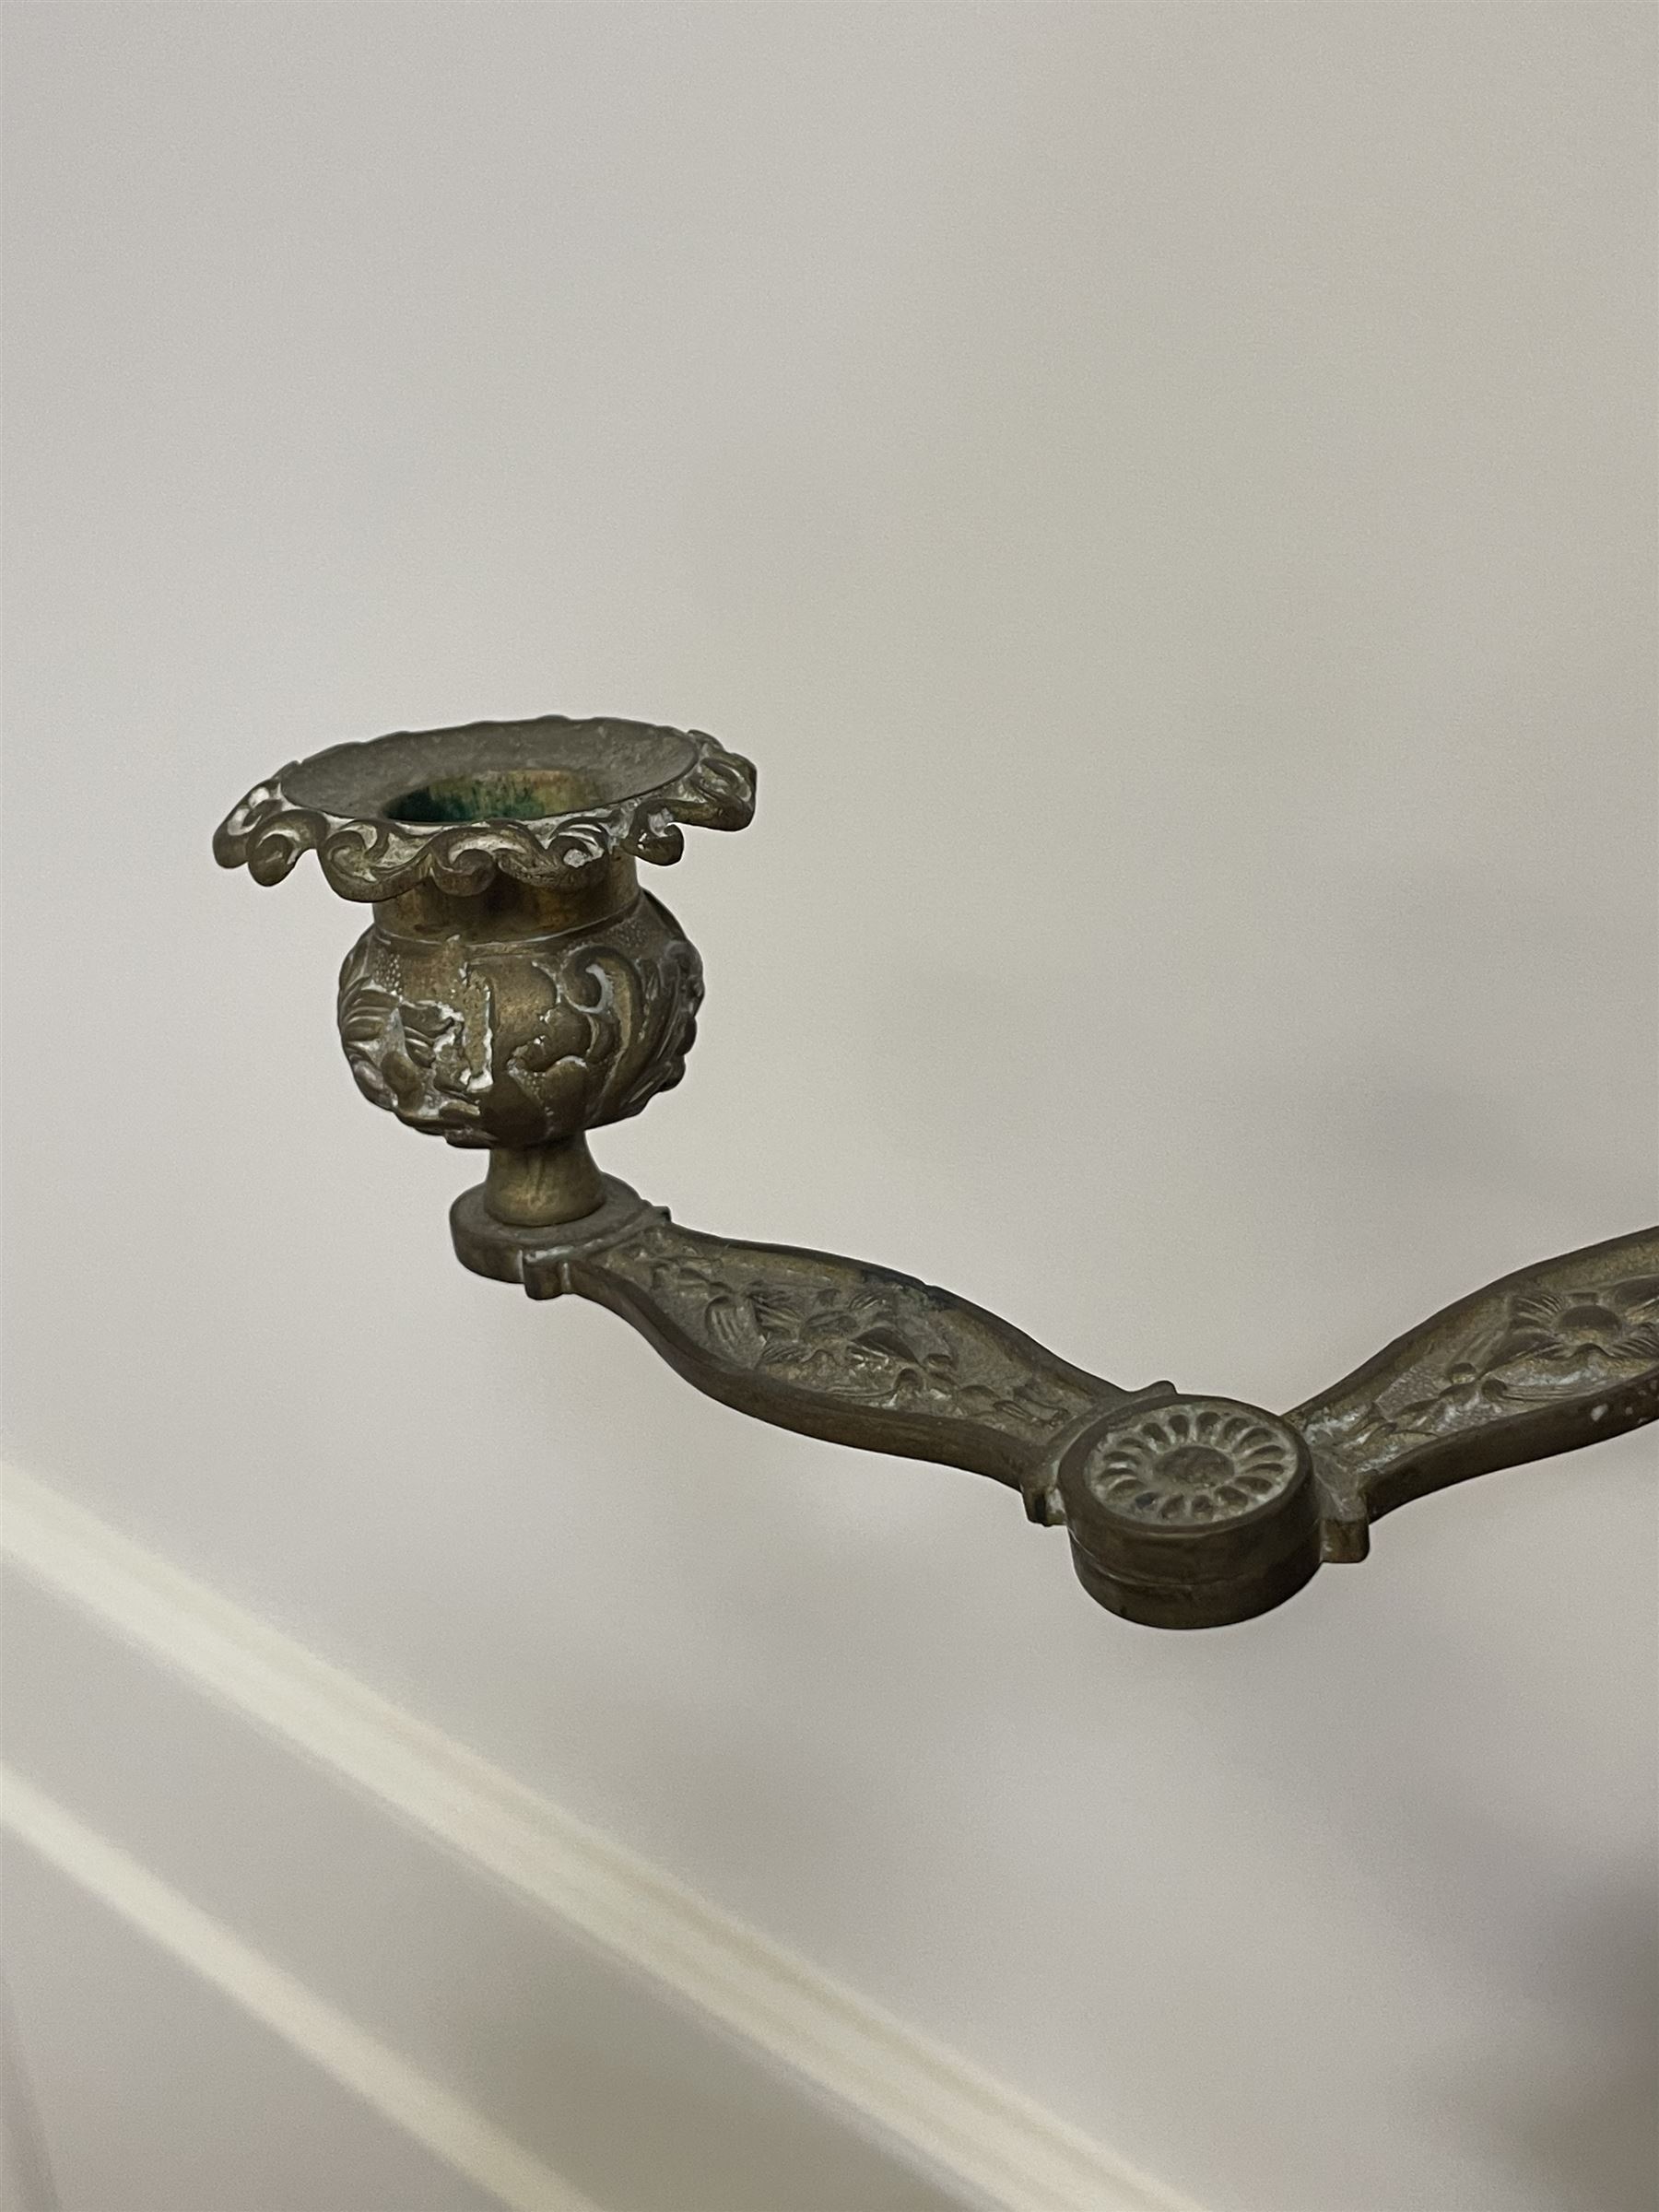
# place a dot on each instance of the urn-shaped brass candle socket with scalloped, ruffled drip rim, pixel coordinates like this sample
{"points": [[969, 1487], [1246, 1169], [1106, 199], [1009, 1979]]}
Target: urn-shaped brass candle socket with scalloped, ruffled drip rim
{"points": [[517, 985]]}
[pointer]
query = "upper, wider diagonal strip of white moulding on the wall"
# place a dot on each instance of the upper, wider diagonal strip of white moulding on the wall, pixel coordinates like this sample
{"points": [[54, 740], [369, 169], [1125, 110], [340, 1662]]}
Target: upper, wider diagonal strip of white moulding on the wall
{"points": [[895, 2080]]}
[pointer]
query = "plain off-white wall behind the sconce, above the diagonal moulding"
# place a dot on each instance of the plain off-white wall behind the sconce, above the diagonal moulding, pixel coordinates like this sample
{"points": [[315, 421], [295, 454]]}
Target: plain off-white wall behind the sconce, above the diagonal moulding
{"points": [[1167, 497]]}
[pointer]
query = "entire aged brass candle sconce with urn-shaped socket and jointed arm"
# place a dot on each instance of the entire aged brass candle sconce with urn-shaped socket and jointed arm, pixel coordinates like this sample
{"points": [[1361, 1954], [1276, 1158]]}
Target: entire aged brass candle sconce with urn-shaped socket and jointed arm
{"points": [[519, 988]]}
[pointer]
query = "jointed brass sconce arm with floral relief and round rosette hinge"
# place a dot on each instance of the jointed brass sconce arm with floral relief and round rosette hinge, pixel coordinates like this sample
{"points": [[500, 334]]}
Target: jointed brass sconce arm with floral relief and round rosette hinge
{"points": [[1182, 1512]]}
